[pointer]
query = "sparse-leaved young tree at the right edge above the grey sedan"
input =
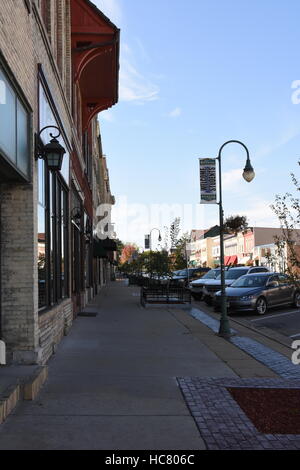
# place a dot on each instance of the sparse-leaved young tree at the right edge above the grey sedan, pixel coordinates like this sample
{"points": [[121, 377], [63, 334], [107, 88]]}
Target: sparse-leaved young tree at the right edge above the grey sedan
{"points": [[287, 209]]}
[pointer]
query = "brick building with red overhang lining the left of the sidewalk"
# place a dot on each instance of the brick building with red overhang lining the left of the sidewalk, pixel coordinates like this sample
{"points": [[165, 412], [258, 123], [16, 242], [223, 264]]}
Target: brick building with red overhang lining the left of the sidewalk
{"points": [[59, 63]]}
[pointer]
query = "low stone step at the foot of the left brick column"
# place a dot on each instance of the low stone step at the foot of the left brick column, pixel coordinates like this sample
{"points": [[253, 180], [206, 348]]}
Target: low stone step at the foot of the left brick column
{"points": [[26, 389]]}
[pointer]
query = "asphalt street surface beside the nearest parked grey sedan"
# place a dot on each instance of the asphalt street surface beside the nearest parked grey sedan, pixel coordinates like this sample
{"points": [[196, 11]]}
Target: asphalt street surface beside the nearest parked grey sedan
{"points": [[283, 320]]}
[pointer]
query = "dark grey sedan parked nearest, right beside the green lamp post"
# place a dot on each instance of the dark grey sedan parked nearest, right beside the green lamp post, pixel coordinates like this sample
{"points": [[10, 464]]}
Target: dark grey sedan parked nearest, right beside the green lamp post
{"points": [[258, 292]]}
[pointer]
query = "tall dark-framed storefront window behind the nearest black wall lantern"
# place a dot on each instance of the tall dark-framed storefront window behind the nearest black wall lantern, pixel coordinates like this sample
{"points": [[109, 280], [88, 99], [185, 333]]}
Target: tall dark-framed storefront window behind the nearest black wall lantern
{"points": [[53, 217]]}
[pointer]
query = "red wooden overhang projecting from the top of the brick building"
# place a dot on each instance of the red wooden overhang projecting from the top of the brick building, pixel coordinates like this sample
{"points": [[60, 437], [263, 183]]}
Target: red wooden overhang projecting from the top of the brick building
{"points": [[95, 58]]}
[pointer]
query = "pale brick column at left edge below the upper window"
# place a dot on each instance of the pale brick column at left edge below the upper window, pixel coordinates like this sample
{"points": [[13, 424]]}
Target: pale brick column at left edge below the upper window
{"points": [[19, 287]]}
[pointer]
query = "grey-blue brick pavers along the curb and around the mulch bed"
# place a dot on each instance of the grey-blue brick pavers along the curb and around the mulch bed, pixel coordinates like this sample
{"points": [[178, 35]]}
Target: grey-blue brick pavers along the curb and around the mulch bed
{"points": [[220, 420]]}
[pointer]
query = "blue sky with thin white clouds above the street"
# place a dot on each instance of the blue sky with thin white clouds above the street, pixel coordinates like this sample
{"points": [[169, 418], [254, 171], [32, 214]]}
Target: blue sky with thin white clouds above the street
{"points": [[193, 75]]}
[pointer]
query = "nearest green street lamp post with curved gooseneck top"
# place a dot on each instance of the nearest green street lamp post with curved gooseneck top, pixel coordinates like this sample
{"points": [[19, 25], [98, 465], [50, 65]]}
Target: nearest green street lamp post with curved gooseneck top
{"points": [[248, 175]]}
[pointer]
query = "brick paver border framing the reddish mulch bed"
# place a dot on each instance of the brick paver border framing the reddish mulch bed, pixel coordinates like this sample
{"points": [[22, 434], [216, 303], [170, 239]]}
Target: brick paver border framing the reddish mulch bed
{"points": [[220, 420]]}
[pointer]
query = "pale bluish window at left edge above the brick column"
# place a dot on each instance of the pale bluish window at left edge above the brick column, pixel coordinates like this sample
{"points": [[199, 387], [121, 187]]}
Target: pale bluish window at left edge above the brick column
{"points": [[14, 129]]}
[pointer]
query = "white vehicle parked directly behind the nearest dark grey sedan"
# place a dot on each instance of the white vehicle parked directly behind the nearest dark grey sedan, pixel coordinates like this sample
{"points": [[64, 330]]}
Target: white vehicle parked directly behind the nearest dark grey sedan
{"points": [[210, 288]]}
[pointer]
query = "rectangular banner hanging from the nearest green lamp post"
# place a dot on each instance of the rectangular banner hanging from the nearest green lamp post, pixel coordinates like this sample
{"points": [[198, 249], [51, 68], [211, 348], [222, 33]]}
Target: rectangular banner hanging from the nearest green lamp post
{"points": [[208, 188]]}
